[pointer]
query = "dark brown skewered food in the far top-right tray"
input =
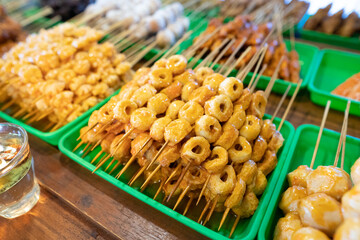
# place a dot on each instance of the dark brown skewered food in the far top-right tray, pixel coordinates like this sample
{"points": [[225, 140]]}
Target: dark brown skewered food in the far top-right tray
{"points": [[334, 24]]}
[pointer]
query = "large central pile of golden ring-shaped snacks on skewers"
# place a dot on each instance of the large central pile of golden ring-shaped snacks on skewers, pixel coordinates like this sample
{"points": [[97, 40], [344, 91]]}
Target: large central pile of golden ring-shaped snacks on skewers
{"points": [[198, 133]]}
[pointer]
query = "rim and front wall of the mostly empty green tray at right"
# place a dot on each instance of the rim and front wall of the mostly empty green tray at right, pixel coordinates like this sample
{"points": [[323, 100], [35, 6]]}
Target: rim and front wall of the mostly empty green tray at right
{"points": [[320, 97]]}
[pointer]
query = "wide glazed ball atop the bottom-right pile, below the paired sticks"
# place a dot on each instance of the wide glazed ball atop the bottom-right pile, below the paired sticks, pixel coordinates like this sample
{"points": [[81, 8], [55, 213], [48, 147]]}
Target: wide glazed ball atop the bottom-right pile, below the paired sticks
{"points": [[330, 180]]}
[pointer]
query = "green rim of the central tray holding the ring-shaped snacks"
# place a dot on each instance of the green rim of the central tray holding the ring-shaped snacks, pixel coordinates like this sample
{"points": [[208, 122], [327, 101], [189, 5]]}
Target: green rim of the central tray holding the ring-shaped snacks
{"points": [[169, 212]]}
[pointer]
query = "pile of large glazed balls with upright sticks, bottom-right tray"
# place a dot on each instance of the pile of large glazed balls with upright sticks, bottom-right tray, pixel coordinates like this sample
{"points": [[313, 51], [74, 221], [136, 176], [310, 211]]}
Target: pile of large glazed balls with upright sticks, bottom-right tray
{"points": [[321, 203]]}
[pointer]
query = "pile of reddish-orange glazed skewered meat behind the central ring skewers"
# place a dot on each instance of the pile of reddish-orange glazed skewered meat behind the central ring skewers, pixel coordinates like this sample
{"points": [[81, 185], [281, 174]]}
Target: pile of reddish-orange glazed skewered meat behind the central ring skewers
{"points": [[243, 32]]}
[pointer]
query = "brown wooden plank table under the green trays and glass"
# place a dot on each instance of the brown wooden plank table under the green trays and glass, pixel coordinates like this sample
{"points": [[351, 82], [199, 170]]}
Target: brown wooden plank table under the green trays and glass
{"points": [[75, 204]]}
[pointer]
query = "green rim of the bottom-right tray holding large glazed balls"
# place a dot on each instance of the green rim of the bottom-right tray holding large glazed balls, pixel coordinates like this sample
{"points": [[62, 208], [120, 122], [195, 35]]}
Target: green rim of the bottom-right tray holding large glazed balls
{"points": [[273, 204]]}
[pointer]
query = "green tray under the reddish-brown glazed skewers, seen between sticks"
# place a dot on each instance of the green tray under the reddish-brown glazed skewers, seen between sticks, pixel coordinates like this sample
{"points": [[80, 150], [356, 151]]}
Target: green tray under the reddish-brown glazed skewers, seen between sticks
{"points": [[307, 59]]}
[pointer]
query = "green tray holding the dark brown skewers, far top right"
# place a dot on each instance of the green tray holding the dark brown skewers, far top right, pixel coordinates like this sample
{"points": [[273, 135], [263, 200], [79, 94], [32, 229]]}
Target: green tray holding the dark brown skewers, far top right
{"points": [[347, 42]]}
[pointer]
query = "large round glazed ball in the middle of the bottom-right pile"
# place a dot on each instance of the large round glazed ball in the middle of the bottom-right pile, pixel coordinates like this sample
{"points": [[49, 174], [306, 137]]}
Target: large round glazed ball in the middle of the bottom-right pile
{"points": [[320, 211]]}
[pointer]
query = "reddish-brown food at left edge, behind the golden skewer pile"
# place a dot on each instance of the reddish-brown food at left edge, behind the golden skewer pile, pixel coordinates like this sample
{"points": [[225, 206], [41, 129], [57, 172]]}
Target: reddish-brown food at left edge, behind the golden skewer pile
{"points": [[11, 32]]}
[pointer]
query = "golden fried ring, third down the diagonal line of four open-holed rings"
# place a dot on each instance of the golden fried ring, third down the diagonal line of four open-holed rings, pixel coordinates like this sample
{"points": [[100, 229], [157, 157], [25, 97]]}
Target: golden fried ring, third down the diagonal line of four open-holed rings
{"points": [[208, 127]]}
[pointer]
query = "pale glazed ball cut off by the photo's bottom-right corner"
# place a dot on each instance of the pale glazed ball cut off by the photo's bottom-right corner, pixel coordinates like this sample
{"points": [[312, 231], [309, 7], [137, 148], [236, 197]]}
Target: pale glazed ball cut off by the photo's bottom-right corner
{"points": [[348, 230]]}
